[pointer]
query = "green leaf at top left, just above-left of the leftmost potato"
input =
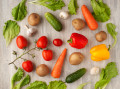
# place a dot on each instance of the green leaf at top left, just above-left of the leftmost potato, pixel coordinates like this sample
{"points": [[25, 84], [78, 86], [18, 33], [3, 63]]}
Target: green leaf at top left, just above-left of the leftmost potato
{"points": [[20, 11]]}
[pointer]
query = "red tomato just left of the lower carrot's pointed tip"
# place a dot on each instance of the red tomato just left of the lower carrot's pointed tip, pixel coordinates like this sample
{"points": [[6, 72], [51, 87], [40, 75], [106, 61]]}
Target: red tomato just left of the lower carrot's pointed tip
{"points": [[47, 55]]}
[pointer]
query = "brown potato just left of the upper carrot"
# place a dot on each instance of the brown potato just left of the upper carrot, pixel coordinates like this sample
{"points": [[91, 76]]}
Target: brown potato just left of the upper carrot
{"points": [[78, 24]]}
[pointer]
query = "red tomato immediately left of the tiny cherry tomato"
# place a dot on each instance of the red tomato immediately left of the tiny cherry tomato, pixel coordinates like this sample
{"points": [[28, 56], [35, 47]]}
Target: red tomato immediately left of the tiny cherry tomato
{"points": [[42, 42]]}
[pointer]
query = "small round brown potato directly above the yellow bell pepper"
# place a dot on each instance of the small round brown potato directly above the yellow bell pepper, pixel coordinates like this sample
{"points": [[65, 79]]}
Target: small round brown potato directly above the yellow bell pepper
{"points": [[101, 36]]}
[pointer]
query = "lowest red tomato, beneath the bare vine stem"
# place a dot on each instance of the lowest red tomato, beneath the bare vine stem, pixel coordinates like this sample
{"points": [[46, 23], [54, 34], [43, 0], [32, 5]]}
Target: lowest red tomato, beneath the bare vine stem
{"points": [[27, 66]]}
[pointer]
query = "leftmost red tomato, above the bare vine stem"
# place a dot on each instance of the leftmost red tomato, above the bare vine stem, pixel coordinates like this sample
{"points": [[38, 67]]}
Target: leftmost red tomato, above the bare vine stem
{"points": [[21, 42]]}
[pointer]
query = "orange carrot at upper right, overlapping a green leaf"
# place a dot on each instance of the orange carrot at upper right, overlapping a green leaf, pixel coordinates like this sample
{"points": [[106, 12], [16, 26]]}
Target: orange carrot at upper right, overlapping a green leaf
{"points": [[91, 22]]}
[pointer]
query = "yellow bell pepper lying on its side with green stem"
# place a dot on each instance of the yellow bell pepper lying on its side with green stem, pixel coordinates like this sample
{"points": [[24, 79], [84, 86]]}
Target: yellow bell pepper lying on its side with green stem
{"points": [[99, 53]]}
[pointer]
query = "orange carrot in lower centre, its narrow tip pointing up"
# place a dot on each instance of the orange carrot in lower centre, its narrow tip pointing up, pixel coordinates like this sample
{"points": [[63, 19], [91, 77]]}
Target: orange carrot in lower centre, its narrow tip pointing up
{"points": [[56, 72]]}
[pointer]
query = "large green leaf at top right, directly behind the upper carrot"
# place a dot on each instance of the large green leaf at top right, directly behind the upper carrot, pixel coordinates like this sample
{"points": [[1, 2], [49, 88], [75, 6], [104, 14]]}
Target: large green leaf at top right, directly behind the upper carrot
{"points": [[101, 10]]}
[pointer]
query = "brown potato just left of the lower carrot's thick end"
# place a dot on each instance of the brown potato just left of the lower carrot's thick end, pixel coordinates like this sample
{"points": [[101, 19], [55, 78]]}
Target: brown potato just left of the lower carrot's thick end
{"points": [[42, 70]]}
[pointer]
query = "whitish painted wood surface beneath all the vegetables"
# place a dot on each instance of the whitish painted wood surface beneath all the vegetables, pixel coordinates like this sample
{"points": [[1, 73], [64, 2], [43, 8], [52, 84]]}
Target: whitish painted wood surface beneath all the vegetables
{"points": [[44, 28]]}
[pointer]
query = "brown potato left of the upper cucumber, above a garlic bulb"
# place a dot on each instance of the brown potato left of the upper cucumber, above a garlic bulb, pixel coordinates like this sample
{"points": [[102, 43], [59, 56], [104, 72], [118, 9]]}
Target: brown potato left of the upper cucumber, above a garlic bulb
{"points": [[34, 19]]}
